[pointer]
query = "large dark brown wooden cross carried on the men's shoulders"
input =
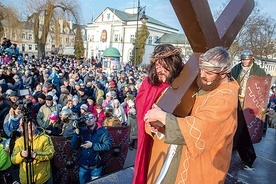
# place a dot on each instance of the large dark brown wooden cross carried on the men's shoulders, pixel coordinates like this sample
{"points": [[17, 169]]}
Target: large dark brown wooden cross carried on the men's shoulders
{"points": [[203, 33]]}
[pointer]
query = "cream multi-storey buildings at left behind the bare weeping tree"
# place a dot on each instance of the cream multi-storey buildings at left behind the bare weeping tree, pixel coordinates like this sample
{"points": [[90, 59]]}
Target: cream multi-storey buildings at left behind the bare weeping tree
{"points": [[56, 43]]}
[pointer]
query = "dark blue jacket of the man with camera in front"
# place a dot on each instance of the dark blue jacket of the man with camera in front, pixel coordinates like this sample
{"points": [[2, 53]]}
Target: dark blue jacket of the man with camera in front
{"points": [[90, 158]]}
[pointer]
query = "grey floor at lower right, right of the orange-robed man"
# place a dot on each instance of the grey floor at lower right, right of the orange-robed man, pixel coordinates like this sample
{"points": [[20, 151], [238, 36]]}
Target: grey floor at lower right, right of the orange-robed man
{"points": [[264, 167]]}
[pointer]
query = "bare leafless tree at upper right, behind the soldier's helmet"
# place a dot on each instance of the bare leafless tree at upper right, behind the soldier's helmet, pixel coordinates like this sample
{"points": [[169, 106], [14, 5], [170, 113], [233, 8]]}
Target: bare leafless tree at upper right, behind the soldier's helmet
{"points": [[257, 33]]}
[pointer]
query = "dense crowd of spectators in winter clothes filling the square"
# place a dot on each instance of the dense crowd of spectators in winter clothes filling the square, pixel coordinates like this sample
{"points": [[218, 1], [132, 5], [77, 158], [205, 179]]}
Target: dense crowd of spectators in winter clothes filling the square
{"points": [[61, 96]]}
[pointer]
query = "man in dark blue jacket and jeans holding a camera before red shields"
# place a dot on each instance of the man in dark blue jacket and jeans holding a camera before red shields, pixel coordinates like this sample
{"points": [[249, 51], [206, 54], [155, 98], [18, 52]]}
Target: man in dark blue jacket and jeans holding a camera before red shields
{"points": [[90, 141]]}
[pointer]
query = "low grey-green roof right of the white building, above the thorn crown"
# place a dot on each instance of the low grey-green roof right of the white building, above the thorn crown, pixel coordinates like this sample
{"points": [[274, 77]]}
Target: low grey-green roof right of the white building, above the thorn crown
{"points": [[172, 39]]}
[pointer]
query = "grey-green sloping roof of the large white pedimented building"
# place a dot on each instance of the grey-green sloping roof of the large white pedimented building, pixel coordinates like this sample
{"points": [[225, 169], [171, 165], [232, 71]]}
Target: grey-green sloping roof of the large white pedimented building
{"points": [[124, 16]]}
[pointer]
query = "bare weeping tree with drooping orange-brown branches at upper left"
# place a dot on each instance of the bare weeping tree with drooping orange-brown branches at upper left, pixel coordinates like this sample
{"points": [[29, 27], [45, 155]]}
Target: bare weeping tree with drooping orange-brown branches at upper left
{"points": [[43, 14]]}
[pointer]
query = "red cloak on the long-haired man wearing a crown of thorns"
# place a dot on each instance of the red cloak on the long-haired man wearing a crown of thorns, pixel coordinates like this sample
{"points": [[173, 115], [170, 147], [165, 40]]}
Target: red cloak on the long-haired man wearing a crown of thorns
{"points": [[146, 97]]}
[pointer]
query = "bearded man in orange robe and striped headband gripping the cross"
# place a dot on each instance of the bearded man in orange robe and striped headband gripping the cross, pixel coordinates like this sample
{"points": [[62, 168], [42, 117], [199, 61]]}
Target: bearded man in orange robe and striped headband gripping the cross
{"points": [[200, 145]]}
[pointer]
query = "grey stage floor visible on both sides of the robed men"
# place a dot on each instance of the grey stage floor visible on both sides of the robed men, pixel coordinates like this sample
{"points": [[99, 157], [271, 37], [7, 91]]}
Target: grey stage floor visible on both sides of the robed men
{"points": [[263, 171]]}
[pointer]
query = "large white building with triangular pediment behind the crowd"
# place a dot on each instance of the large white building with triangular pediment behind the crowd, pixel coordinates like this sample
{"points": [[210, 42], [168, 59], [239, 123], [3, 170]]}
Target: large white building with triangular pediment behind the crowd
{"points": [[115, 28]]}
